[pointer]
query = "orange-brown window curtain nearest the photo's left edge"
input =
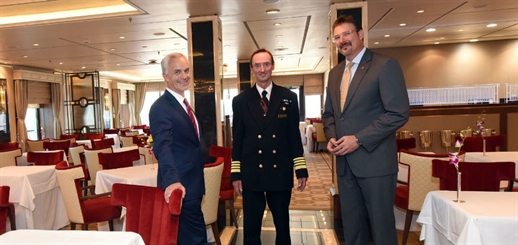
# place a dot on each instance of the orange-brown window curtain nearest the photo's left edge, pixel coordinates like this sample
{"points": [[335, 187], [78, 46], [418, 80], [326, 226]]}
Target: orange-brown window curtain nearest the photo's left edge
{"points": [[22, 93]]}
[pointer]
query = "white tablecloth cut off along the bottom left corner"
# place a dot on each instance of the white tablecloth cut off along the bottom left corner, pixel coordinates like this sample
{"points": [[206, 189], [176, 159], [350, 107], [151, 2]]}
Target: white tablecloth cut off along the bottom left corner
{"points": [[70, 237]]}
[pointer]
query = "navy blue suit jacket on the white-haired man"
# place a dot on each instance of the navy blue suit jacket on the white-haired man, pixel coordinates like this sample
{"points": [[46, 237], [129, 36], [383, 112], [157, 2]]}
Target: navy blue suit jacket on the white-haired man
{"points": [[176, 146]]}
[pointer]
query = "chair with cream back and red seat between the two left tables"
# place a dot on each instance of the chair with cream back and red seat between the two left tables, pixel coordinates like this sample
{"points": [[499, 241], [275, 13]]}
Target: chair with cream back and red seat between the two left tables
{"points": [[83, 209]]}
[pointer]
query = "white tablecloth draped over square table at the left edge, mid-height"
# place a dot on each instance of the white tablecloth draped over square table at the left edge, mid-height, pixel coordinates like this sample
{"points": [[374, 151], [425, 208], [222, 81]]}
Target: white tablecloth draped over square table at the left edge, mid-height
{"points": [[35, 193]]}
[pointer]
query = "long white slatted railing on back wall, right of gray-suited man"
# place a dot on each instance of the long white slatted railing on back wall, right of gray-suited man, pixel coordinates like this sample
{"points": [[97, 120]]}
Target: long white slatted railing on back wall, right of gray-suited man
{"points": [[478, 94]]}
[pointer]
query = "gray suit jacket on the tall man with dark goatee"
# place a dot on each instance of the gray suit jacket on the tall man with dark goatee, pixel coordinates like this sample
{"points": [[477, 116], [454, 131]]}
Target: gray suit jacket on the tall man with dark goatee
{"points": [[376, 106]]}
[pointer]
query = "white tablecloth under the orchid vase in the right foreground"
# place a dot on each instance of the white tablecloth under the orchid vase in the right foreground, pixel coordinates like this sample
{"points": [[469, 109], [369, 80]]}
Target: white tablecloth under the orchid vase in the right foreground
{"points": [[484, 218]]}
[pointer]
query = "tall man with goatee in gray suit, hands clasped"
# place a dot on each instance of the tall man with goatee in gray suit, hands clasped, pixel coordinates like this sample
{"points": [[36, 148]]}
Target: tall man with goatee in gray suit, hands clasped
{"points": [[361, 133]]}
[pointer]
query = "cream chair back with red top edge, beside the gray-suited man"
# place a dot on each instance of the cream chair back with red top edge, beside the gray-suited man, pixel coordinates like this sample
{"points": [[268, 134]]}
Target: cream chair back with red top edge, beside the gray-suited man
{"points": [[420, 180]]}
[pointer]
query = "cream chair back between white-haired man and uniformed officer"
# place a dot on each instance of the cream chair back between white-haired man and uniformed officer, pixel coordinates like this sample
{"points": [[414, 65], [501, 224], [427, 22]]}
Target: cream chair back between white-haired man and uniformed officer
{"points": [[209, 205]]}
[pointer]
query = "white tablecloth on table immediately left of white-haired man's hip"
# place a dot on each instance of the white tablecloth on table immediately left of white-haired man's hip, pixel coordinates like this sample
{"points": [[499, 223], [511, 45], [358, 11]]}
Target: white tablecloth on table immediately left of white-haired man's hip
{"points": [[138, 175]]}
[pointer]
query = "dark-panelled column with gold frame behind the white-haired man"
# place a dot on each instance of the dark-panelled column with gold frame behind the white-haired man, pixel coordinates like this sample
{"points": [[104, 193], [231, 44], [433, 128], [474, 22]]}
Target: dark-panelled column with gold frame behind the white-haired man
{"points": [[205, 57]]}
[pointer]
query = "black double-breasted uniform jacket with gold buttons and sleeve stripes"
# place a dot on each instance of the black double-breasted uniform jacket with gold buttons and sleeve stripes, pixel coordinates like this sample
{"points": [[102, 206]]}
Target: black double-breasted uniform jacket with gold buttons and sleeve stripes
{"points": [[266, 148]]}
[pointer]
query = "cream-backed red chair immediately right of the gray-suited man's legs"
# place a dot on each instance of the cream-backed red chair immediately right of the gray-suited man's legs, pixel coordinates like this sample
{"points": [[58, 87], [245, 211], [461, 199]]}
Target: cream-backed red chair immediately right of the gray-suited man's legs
{"points": [[411, 197]]}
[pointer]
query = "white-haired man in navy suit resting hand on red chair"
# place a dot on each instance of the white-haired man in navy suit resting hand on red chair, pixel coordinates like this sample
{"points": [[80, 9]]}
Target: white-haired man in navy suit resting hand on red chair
{"points": [[177, 148]]}
